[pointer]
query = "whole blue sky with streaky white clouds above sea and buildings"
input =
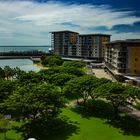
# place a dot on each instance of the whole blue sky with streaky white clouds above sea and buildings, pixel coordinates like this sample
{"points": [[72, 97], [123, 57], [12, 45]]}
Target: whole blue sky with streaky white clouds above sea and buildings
{"points": [[29, 22]]}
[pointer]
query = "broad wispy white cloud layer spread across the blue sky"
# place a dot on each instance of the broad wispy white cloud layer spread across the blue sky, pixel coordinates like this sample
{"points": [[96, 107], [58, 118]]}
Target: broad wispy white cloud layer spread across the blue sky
{"points": [[25, 21]]}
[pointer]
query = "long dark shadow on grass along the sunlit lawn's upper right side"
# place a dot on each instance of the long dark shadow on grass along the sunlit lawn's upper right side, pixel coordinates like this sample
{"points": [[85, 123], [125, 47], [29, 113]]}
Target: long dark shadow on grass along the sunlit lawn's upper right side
{"points": [[103, 110]]}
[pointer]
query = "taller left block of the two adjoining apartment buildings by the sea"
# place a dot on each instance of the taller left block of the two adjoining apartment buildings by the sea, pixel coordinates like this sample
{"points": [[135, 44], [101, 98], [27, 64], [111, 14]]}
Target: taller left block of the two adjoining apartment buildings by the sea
{"points": [[64, 42]]}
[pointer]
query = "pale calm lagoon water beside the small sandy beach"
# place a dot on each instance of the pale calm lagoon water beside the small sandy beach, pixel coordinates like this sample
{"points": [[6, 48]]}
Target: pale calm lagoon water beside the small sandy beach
{"points": [[23, 64]]}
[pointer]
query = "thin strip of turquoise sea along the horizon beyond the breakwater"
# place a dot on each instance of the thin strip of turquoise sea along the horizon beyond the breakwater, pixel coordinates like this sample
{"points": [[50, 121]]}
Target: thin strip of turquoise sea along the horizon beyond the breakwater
{"points": [[24, 48]]}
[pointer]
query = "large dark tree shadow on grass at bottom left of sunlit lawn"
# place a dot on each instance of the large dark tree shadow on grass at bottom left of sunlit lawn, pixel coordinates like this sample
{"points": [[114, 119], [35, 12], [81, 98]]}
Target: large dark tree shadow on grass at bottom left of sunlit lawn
{"points": [[58, 129]]}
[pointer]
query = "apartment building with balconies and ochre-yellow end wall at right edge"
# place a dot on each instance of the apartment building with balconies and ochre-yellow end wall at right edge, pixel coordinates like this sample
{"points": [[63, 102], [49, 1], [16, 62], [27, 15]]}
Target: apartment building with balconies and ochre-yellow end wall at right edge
{"points": [[123, 57]]}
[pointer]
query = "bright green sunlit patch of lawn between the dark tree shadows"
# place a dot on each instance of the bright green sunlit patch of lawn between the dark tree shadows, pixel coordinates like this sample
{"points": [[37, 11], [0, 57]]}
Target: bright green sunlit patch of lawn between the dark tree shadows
{"points": [[96, 129]]}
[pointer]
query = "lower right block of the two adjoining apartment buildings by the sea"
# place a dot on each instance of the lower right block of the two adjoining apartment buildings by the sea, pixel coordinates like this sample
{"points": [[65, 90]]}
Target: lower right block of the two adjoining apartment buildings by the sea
{"points": [[93, 45]]}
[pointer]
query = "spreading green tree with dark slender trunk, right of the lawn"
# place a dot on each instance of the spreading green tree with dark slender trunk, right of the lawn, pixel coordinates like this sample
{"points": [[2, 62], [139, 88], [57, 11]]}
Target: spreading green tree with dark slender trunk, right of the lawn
{"points": [[115, 94]]}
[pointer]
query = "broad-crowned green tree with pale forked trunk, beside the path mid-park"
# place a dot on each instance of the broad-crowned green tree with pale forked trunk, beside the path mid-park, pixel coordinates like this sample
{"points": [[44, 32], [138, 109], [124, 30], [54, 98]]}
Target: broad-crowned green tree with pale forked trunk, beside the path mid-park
{"points": [[80, 87]]}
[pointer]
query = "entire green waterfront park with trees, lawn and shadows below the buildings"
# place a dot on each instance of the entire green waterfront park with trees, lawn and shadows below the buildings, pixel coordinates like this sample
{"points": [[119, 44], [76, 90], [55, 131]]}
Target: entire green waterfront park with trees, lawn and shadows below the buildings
{"points": [[63, 102]]}
